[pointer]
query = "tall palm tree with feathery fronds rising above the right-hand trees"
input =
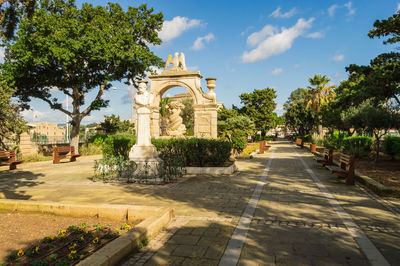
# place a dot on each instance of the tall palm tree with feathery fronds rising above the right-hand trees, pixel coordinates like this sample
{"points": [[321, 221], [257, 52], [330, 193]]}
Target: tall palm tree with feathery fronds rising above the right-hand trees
{"points": [[320, 95]]}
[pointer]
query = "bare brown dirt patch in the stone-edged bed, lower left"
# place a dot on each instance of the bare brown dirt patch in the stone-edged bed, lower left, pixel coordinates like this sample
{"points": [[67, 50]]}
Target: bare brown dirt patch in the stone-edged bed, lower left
{"points": [[22, 231]]}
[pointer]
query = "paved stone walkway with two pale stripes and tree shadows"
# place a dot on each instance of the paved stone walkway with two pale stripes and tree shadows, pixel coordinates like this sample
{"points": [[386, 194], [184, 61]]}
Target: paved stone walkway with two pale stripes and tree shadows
{"points": [[281, 209]]}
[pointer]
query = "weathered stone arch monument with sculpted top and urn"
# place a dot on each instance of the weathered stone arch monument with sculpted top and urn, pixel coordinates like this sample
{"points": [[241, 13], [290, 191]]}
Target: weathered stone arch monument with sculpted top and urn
{"points": [[205, 105]]}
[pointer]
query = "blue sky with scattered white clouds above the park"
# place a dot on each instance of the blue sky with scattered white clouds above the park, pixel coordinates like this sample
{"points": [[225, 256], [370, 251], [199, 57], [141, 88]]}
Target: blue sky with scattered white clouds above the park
{"points": [[251, 45]]}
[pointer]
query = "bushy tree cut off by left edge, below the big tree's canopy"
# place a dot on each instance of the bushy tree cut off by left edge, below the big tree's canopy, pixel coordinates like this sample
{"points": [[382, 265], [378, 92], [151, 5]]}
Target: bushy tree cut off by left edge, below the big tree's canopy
{"points": [[11, 122]]}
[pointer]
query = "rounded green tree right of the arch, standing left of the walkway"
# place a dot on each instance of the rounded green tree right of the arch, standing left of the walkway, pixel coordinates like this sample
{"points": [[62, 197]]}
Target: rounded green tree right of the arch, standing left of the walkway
{"points": [[259, 106]]}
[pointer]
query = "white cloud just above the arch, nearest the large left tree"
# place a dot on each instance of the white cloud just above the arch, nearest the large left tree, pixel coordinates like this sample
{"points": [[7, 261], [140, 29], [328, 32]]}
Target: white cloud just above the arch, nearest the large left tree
{"points": [[175, 27]]}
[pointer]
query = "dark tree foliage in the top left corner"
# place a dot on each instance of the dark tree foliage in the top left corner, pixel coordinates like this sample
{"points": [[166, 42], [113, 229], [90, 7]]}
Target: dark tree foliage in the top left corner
{"points": [[10, 14]]}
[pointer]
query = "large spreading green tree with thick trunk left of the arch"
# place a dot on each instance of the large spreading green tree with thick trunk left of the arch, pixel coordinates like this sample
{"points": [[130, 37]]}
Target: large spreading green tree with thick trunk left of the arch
{"points": [[76, 51]]}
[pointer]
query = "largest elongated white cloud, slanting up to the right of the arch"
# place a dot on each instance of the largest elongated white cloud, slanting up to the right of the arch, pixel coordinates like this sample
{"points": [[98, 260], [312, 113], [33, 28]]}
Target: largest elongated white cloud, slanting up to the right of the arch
{"points": [[277, 43]]}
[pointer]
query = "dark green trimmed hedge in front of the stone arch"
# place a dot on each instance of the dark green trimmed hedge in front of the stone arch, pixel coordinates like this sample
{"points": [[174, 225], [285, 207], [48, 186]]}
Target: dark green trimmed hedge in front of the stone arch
{"points": [[194, 151]]}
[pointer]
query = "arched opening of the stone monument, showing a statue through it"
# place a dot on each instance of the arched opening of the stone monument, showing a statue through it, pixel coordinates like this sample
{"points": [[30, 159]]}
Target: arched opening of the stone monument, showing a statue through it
{"points": [[174, 122]]}
